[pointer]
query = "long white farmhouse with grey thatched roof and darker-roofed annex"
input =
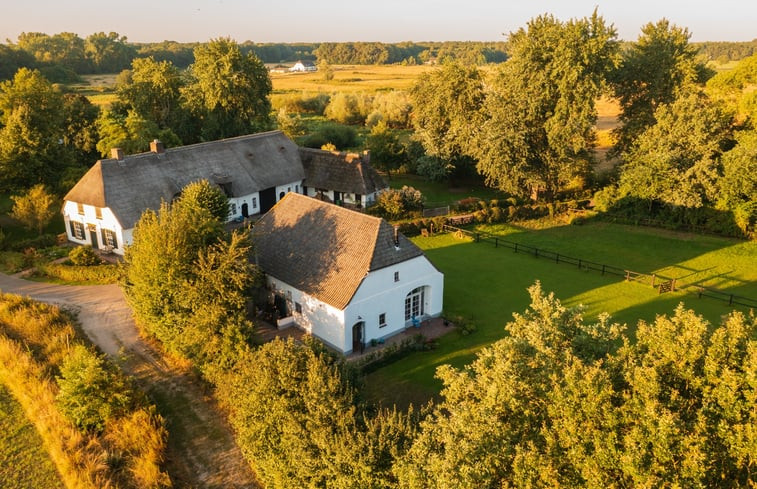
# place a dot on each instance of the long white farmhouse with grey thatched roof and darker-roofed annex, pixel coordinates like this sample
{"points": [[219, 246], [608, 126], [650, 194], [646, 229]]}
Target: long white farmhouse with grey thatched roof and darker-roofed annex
{"points": [[254, 172]]}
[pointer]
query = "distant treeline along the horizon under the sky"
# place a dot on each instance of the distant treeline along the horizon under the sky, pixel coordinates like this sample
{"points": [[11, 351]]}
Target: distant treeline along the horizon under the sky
{"points": [[64, 56]]}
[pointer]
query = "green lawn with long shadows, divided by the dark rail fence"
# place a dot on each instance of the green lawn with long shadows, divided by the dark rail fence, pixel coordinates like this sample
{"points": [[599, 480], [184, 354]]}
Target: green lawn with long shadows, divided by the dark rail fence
{"points": [[487, 284]]}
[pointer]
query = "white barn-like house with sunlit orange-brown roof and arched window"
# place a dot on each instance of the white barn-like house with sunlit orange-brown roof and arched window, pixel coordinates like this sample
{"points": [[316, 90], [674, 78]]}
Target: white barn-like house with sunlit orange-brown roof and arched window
{"points": [[344, 276]]}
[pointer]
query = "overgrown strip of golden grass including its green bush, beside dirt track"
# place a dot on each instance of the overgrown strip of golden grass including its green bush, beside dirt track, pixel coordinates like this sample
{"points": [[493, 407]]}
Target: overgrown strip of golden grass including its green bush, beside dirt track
{"points": [[121, 447]]}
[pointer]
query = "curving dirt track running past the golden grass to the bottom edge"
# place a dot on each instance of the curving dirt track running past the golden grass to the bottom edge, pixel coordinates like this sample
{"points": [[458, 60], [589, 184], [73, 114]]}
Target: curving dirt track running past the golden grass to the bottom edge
{"points": [[201, 448]]}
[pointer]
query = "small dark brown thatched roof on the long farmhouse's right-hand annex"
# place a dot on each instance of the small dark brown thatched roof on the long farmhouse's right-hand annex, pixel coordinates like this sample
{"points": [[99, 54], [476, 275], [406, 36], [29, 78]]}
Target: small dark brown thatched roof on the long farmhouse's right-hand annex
{"points": [[343, 172]]}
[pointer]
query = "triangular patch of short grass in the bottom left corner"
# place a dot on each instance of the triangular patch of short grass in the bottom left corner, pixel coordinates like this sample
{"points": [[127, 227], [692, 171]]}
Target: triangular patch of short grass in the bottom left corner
{"points": [[24, 463]]}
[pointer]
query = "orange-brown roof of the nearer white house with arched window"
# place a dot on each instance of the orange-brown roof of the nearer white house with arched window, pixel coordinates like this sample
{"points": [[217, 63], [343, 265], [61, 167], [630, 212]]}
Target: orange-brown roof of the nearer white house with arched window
{"points": [[325, 250]]}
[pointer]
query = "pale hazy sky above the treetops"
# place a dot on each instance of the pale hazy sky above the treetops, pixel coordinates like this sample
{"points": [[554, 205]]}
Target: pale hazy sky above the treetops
{"points": [[358, 20]]}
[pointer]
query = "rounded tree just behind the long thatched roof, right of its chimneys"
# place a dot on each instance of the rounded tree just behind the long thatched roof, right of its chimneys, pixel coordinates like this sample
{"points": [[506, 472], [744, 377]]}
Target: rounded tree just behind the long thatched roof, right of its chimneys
{"points": [[229, 90]]}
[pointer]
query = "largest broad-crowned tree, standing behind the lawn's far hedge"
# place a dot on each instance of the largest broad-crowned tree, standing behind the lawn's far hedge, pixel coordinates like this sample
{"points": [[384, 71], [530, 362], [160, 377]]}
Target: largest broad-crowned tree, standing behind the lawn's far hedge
{"points": [[541, 109]]}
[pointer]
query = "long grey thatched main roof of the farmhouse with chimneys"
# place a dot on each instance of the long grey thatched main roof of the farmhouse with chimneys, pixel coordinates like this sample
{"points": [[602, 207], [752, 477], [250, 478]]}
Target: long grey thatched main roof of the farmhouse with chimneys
{"points": [[138, 182]]}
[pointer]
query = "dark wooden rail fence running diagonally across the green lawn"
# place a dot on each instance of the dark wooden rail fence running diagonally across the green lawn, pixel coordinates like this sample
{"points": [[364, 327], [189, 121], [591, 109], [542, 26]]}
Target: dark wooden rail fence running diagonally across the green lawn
{"points": [[662, 283]]}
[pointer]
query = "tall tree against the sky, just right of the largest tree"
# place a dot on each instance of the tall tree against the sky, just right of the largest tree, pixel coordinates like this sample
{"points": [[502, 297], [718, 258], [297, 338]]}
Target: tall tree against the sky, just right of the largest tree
{"points": [[653, 72]]}
